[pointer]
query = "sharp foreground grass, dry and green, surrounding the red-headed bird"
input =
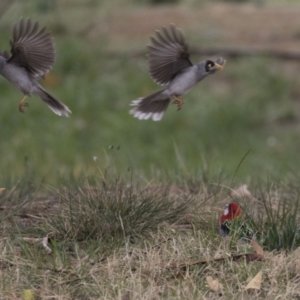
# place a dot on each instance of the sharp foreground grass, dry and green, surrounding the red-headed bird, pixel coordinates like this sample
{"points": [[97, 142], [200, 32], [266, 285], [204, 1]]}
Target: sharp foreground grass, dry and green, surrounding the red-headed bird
{"points": [[112, 239]]}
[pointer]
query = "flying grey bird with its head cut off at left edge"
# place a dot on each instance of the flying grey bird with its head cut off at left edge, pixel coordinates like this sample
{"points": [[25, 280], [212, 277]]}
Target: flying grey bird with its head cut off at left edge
{"points": [[32, 56]]}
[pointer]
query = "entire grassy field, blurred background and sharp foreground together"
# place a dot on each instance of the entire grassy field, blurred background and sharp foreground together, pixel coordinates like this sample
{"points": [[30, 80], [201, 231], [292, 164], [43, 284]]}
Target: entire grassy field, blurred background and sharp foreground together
{"points": [[123, 201]]}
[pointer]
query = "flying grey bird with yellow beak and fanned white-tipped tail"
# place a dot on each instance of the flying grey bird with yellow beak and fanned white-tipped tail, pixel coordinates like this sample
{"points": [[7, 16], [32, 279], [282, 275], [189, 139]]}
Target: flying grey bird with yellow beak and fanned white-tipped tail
{"points": [[170, 66]]}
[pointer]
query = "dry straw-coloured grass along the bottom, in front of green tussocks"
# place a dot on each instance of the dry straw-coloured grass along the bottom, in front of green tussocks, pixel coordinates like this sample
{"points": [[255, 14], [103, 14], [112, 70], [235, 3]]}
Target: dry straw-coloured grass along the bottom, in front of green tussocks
{"points": [[141, 270]]}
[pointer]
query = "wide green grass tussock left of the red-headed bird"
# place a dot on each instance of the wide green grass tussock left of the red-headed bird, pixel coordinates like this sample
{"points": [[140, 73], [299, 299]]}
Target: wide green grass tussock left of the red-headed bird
{"points": [[115, 211]]}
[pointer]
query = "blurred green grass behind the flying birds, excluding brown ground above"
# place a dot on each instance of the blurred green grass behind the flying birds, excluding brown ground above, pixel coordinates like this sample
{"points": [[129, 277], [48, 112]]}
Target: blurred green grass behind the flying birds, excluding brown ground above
{"points": [[247, 107]]}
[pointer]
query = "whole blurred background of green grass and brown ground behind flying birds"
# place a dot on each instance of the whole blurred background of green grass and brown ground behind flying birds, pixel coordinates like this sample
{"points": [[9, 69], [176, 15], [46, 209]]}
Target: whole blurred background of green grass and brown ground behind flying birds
{"points": [[250, 109]]}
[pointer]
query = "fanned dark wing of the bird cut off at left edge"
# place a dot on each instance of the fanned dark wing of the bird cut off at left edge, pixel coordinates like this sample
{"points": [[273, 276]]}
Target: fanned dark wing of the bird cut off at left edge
{"points": [[32, 48]]}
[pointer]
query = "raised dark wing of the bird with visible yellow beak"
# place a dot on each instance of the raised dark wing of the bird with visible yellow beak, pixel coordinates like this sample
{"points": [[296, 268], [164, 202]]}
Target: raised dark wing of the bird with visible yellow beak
{"points": [[168, 55]]}
